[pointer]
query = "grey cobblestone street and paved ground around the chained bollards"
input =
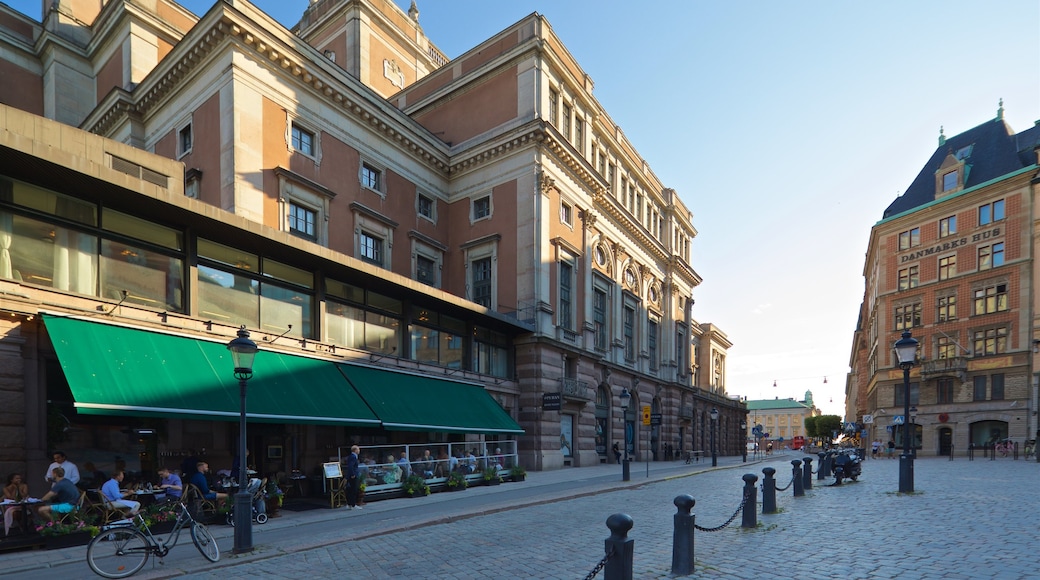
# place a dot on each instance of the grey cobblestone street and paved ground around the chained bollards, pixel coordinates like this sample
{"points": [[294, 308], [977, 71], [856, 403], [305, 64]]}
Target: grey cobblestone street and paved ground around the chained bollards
{"points": [[967, 520]]}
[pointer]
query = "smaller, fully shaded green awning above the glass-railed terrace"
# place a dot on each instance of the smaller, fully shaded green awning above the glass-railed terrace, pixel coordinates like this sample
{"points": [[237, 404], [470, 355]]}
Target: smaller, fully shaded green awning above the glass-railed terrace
{"points": [[411, 403]]}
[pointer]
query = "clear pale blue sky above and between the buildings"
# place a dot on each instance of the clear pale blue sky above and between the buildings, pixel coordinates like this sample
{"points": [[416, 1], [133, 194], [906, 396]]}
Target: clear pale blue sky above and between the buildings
{"points": [[787, 128]]}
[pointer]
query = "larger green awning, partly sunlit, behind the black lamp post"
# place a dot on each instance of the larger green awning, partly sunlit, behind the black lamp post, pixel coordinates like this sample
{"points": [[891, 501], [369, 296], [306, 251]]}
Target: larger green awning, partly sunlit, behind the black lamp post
{"points": [[115, 371]]}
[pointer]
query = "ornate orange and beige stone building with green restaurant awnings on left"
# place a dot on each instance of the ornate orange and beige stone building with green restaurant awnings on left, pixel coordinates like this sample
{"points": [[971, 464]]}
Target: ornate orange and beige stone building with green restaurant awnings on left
{"points": [[351, 196]]}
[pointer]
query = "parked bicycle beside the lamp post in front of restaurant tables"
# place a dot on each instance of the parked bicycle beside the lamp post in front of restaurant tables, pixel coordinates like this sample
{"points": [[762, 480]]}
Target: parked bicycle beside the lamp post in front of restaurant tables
{"points": [[122, 549]]}
